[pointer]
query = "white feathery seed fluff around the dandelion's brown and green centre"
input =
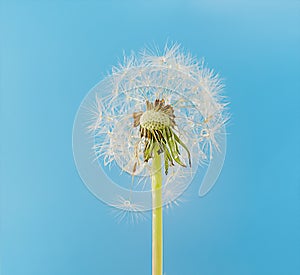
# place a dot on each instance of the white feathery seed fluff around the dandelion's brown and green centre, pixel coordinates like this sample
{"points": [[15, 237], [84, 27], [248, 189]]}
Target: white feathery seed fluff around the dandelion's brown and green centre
{"points": [[194, 92]]}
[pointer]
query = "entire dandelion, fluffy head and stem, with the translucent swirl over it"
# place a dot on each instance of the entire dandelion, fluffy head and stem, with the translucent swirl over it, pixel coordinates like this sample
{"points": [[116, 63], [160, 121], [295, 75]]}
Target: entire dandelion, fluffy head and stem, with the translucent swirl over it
{"points": [[156, 118]]}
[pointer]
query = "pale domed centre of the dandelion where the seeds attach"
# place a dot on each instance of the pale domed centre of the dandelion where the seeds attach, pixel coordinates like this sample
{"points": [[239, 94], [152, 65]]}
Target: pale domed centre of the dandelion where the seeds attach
{"points": [[154, 120]]}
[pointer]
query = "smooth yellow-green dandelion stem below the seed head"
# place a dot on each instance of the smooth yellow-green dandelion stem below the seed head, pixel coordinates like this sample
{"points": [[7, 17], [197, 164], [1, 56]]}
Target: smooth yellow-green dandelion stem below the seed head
{"points": [[157, 215]]}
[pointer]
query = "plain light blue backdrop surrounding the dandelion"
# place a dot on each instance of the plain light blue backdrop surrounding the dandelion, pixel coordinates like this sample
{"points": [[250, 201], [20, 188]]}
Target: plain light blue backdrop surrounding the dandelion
{"points": [[53, 52]]}
